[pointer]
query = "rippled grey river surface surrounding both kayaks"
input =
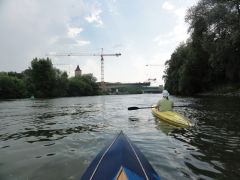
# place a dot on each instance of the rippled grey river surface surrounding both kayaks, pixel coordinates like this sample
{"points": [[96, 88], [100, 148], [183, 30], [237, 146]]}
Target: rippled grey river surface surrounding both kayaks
{"points": [[58, 138]]}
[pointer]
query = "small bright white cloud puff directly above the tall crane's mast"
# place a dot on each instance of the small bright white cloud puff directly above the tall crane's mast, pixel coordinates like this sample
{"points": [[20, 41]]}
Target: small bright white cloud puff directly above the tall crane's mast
{"points": [[95, 16]]}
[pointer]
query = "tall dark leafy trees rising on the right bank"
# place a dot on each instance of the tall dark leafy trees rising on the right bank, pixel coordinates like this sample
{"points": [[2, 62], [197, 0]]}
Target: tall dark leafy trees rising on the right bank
{"points": [[211, 56]]}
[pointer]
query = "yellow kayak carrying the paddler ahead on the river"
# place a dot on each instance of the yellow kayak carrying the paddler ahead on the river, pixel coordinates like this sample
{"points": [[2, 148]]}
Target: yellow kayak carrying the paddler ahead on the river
{"points": [[172, 118]]}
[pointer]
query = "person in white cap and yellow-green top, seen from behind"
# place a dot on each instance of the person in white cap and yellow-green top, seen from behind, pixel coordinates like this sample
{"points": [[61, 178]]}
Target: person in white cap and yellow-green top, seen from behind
{"points": [[165, 104]]}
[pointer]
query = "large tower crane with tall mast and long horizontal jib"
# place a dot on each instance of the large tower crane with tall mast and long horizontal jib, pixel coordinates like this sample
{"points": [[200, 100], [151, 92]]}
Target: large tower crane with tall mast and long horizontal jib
{"points": [[89, 54]]}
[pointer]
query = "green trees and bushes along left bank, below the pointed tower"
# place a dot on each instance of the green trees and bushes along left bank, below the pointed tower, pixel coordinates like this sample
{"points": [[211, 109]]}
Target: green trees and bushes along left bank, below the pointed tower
{"points": [[42, 80]]}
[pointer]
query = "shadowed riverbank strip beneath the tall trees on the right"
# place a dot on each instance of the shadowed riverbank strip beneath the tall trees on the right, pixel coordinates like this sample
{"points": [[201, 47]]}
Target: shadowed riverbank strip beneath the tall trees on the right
{"points": [[232, 90]]}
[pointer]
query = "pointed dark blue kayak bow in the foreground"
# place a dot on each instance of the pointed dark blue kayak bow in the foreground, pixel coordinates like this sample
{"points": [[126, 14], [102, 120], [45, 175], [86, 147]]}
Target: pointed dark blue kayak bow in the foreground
{"points": [[120, 160]]}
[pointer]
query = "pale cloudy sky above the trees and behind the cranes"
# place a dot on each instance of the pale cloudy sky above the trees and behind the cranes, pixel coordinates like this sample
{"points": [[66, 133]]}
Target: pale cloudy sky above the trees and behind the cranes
{"points": [[145, 32]]}
